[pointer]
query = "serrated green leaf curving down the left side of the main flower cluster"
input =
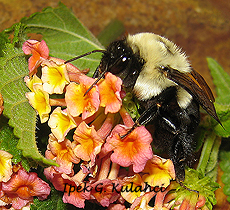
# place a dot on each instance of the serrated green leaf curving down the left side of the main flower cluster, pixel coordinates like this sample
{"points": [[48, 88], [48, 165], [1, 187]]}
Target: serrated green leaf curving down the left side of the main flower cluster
{"points": [[22, 117]]}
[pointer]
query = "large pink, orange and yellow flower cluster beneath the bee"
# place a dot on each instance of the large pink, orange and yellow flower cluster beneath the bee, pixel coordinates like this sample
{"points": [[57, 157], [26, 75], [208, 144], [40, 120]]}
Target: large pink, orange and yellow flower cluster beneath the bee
{"points": [[95, 163]]}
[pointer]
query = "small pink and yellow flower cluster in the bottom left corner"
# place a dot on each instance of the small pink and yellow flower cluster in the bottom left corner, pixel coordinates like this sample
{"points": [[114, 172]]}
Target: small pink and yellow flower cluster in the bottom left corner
{"points": [[18, 187]]}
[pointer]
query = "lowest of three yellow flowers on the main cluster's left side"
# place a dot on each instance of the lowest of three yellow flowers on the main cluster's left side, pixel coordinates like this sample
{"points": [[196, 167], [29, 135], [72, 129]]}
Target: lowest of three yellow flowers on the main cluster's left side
{"points": [[61, 123]]}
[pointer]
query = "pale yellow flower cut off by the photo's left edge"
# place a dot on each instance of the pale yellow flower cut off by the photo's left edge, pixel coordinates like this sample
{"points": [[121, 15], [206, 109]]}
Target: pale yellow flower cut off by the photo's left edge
{"points": [[5, 166]]}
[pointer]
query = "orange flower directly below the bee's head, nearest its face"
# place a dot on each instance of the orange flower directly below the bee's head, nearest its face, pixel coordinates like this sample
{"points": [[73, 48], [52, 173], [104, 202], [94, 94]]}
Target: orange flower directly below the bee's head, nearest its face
{"points": [[110, 89]]}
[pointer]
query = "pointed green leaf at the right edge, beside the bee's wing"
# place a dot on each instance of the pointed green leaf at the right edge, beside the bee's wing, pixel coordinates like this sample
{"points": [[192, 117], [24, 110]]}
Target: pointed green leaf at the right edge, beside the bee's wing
{"points": [[221, 79]]}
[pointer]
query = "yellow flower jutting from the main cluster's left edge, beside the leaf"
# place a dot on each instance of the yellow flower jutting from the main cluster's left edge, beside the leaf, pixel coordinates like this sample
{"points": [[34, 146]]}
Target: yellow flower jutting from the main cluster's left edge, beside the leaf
{"points": [[39, 100]]}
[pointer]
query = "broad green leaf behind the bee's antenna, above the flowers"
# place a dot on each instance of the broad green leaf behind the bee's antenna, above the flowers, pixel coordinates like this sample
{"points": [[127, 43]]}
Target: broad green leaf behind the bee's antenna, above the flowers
{"points": [[65, 36]]}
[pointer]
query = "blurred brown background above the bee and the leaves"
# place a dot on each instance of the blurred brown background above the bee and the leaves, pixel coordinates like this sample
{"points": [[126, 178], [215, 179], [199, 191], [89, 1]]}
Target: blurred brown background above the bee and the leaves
{"points": [[200, 27]]}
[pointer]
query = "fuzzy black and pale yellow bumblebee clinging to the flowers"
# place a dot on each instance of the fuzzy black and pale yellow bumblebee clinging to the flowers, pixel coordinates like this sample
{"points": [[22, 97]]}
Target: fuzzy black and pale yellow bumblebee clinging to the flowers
{"points": [[169, 90]]}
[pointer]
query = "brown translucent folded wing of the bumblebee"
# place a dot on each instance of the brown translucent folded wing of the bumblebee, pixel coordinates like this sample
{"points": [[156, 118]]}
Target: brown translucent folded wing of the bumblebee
{"points": [[195, 84]]}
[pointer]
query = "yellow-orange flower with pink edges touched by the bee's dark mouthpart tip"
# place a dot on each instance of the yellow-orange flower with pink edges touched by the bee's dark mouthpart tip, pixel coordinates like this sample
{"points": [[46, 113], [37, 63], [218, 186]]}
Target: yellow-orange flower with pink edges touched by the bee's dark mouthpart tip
{"points": [[77, 103]]}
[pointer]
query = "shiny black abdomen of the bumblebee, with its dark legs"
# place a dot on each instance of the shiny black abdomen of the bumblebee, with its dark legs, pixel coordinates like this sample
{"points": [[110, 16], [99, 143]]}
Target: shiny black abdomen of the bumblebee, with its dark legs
{"points": [[174, 134]]}
